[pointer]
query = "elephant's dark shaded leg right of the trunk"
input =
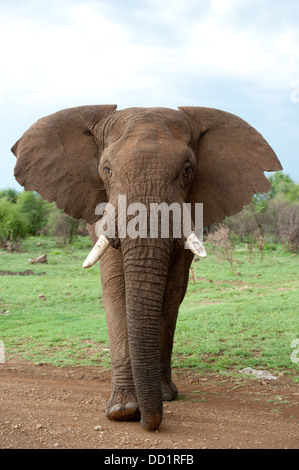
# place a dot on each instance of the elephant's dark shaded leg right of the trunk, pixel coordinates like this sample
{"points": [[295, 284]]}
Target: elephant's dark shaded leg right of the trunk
{"points": [[175, 291]]}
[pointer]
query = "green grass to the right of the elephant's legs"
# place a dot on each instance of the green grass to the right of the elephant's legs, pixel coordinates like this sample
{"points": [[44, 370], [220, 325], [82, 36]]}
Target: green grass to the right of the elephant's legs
{"points": [[248, 319]]}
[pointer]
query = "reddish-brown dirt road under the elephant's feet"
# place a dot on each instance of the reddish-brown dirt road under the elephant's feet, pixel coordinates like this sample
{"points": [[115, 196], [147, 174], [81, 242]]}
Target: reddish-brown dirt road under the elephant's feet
{"points": [[47, 407]]}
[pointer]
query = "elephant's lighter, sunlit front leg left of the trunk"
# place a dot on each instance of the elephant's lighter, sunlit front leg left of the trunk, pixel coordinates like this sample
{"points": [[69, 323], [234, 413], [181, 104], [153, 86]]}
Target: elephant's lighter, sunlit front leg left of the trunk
{"points": [[122, 404]]}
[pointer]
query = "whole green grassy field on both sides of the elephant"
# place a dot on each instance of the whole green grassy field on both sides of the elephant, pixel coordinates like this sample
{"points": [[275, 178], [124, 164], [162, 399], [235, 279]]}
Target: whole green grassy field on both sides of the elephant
{"points": [[228, 320]]}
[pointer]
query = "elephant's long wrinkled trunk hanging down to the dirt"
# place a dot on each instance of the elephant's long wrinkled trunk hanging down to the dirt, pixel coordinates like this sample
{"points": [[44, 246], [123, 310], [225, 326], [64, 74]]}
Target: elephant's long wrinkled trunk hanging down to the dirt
{"points": [[146, 267]]}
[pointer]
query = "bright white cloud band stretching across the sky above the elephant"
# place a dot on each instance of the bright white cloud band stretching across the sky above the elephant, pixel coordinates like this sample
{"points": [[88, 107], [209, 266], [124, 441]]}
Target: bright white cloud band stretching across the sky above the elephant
{"points": [[89, 52]]}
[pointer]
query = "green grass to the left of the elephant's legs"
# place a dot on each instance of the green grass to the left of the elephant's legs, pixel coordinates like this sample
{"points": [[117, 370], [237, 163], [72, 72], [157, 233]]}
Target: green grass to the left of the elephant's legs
{"points": [[69, 326]]}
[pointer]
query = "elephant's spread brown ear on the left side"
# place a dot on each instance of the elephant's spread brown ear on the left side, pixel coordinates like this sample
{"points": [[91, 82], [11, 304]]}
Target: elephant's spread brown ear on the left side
{"points": [[56, 157]]}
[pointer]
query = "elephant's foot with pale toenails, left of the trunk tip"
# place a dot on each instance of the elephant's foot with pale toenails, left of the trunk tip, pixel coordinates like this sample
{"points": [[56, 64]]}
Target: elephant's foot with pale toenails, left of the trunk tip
{"points": [[122, 406]]}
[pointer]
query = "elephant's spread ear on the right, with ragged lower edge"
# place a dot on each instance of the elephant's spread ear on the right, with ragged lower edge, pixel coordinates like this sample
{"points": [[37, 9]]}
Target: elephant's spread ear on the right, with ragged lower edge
{"points": [[232, 157]]}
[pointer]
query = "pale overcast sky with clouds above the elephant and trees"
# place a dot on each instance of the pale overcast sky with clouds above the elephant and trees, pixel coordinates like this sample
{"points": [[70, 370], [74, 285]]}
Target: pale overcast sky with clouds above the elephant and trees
{"points": [[241, 56]]}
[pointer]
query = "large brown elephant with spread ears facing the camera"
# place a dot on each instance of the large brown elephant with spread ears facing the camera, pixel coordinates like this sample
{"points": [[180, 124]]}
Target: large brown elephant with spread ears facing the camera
{"points": [[84, 156]]}
